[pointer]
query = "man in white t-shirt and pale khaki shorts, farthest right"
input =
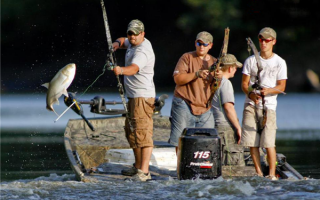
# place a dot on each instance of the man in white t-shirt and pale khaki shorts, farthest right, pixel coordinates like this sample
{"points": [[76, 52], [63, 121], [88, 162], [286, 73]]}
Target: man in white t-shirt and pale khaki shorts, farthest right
{"points": [[273, 79]]}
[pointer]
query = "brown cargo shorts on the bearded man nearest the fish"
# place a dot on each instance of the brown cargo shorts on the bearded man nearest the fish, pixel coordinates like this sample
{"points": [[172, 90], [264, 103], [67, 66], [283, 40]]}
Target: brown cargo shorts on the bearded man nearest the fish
{"points": [[140, 112]]}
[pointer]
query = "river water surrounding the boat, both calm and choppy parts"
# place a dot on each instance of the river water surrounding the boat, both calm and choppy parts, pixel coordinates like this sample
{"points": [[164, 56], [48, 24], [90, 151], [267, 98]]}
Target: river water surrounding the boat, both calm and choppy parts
{"points": [[34, 164]]}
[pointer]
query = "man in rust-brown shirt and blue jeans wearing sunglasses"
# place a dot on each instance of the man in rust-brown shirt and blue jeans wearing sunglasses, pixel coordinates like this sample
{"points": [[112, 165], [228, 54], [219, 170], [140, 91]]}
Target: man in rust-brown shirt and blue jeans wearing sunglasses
{"points": [[190, 102]]}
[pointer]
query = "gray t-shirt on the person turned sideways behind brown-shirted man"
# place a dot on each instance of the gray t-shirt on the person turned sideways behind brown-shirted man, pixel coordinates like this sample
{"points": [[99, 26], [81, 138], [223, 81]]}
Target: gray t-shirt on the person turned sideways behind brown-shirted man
{"points": [[223, 95]]}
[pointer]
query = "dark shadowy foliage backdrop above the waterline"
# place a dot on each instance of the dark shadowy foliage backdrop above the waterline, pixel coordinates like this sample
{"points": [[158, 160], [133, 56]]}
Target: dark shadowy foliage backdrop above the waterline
{"points": [[40, 37]]}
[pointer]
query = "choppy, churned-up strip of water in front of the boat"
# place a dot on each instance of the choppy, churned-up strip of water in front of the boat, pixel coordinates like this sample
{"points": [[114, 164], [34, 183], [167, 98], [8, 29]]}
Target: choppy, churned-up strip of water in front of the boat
{"points": [[64, 187]]}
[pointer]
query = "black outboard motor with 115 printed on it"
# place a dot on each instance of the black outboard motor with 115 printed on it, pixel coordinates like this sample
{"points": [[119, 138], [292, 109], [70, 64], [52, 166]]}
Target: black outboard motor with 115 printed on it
{"points": [[199, 154]]}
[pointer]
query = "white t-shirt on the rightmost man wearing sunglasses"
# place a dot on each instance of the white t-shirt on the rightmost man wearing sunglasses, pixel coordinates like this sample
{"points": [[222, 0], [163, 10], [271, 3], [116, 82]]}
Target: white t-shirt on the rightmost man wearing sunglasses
{"points": [[274, 69]]}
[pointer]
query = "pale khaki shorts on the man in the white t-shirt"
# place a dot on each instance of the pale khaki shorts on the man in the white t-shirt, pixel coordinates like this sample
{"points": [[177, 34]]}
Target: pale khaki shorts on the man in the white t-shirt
{"points": [[250, 137]]}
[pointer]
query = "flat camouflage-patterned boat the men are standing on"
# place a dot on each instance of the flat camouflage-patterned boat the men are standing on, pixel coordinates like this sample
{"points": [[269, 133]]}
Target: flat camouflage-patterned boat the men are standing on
{"points": [[98, 150]]}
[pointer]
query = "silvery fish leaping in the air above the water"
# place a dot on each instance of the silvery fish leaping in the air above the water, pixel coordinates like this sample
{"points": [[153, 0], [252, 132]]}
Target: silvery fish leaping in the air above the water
{"points": [[59, 84]]}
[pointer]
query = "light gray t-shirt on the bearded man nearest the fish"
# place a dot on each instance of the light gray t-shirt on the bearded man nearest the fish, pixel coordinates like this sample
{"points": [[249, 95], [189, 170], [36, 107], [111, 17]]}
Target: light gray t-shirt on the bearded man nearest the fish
{"points": [[141, 84]]}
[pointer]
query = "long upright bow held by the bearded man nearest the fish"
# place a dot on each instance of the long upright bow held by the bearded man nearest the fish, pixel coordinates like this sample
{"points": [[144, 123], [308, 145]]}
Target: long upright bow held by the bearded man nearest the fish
{"points": [[111, 61]]}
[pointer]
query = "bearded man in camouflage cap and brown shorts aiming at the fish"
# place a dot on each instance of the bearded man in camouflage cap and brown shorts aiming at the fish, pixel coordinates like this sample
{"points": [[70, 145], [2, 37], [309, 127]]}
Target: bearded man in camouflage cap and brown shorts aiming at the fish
{"points": [[138, 75]]}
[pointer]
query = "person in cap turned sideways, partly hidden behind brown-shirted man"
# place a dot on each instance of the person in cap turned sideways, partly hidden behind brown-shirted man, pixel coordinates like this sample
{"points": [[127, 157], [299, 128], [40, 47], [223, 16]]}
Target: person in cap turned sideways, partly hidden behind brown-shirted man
{"points": [[225, 116]]}
